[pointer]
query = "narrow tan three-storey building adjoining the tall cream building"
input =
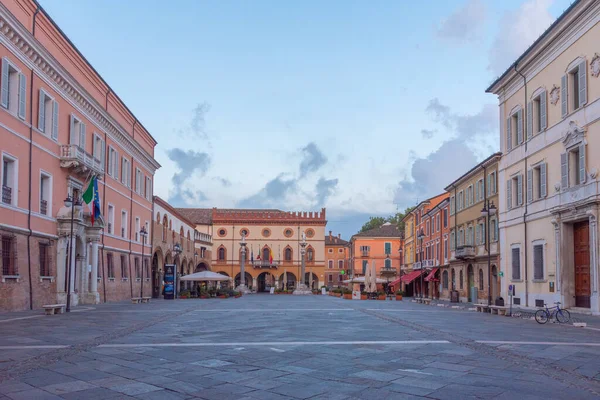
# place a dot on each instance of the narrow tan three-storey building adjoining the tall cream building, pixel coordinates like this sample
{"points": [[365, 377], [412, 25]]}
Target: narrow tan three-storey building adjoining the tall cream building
{"points": [[470, 271]]}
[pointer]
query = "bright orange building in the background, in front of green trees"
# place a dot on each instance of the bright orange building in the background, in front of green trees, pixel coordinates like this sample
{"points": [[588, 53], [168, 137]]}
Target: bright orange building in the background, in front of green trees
{"points": [[380, 245]]}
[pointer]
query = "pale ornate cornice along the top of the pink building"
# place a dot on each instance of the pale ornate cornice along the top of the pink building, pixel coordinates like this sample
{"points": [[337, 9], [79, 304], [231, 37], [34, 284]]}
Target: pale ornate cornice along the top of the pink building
{"points": [[36, 56]]}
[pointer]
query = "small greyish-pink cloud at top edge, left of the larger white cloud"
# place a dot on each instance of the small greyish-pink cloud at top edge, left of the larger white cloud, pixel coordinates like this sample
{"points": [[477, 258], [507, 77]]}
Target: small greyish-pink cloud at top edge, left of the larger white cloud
{"points": [[465, 24]]}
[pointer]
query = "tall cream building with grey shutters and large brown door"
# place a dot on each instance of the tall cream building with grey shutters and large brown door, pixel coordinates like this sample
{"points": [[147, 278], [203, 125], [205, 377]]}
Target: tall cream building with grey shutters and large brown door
{"points": [[550, 140]]}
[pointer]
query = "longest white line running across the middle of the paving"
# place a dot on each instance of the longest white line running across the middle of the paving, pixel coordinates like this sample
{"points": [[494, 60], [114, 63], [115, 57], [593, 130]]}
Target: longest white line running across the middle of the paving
{"points": [[323, 343]]}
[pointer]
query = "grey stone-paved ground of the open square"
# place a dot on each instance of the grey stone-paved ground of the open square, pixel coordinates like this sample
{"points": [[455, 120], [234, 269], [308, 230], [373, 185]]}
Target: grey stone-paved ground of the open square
{"points": [[276, 347]]}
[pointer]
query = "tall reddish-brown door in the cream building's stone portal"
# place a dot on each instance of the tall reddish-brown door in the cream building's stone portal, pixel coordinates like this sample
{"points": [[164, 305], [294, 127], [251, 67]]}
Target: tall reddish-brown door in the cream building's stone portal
{"points": [[581, 246]]}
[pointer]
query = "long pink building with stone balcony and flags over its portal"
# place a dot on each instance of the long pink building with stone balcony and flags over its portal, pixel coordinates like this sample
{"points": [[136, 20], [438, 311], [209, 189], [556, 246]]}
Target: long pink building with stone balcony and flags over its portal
{"points": [[61, 124]]}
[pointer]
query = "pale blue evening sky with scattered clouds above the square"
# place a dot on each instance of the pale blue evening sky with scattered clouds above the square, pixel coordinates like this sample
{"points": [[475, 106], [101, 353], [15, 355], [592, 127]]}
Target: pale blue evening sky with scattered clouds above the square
{"points": [[362, 107]]}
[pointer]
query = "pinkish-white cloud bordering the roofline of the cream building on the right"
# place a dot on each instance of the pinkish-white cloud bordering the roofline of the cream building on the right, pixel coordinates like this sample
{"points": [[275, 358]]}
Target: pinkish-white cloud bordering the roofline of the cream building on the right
{"points": [[518, 30]]}
